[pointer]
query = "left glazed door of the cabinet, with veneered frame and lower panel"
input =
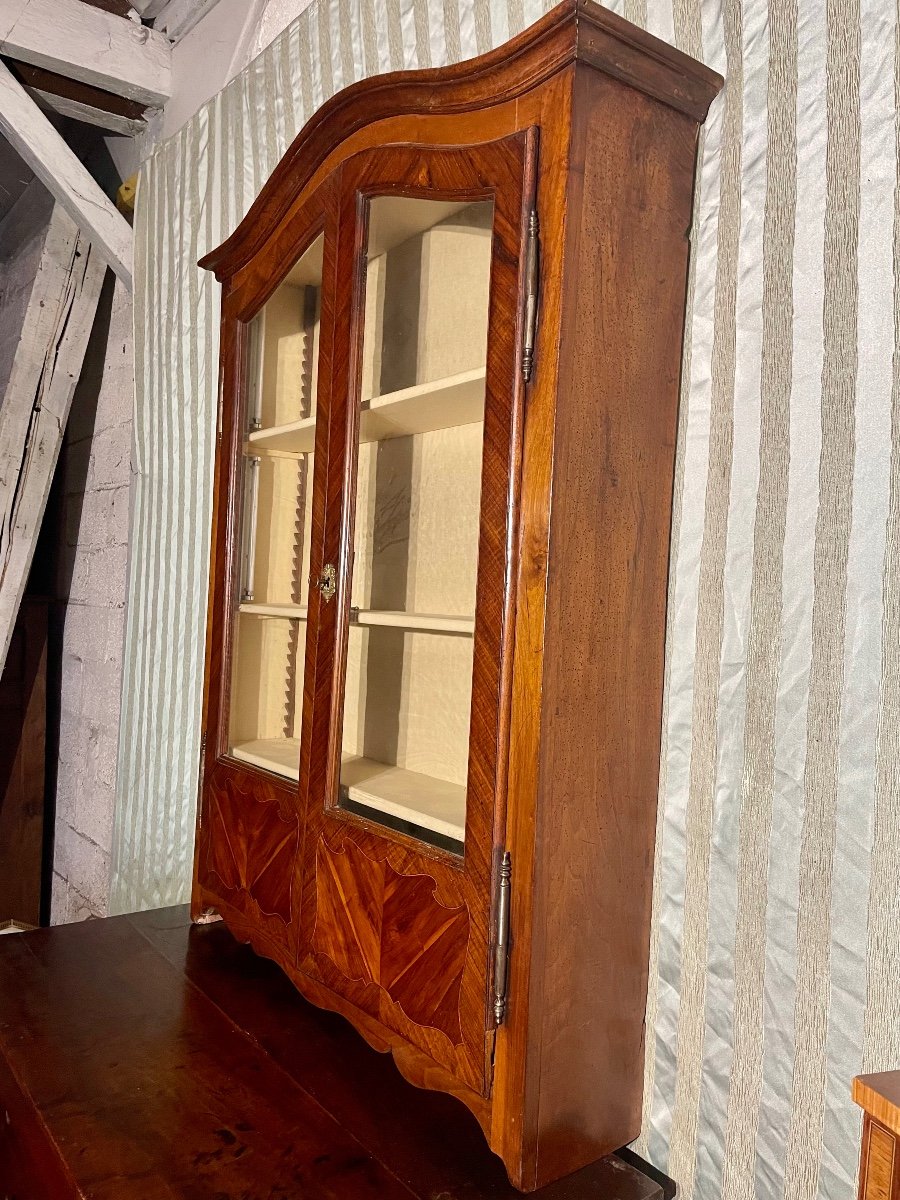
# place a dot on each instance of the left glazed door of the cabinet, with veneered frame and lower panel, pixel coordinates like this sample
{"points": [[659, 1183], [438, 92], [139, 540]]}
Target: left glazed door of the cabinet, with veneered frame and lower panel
{"points": [[278, 334]]}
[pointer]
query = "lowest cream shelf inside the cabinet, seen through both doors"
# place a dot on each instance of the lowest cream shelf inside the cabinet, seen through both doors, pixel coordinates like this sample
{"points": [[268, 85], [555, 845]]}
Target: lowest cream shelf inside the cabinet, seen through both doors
{"points": [[421, 800]]}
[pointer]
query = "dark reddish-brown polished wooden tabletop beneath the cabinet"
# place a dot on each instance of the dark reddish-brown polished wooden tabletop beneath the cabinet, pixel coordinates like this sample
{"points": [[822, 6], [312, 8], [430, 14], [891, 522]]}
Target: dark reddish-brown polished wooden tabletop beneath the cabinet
{"points": [[147, 1059]]}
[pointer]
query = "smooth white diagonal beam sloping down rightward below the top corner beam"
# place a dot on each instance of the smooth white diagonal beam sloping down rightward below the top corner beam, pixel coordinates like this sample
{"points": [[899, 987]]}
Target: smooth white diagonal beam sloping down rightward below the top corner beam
{"points": [[59, 170]]}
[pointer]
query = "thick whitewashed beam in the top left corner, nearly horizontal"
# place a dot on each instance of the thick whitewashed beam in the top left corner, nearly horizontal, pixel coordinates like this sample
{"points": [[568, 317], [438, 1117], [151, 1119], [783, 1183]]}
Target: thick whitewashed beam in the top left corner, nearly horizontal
{"points": [[88, 44]]}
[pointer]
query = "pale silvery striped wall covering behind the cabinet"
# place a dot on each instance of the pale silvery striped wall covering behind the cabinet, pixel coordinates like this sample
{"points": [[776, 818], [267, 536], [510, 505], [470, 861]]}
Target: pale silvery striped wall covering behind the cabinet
{"points": [[776, 946]]}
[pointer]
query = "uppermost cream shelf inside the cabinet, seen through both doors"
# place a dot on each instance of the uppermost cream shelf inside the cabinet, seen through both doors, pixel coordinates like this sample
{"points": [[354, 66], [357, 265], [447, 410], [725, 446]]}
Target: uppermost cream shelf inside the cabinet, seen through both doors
{"points": [[441, 405]]}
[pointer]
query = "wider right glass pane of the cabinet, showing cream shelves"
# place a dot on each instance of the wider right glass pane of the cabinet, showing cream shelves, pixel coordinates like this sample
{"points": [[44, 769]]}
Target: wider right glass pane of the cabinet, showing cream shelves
{"points": [[409, 687]]}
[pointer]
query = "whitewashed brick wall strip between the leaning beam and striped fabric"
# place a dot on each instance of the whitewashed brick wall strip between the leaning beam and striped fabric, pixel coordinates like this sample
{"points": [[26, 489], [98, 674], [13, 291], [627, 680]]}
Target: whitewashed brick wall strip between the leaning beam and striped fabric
{"points": [[97, 487]]}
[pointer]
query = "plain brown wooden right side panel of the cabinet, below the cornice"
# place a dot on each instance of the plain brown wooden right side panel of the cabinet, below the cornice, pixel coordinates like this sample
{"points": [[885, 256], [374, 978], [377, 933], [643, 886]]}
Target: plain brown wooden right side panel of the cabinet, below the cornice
{"points": [[623, 320]]}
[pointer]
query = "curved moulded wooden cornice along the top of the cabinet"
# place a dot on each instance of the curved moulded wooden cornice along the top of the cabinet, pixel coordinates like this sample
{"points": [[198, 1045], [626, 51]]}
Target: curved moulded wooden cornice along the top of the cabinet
{"points": [[574, 32]]}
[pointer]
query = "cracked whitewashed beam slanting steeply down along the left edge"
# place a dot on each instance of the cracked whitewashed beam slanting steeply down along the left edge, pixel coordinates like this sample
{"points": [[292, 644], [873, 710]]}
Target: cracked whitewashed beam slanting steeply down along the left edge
{"points": [[39, 395]]}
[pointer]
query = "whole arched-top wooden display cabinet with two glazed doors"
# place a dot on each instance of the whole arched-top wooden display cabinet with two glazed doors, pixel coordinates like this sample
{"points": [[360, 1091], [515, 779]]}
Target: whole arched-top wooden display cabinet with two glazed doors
{"points": [[452, 341]]}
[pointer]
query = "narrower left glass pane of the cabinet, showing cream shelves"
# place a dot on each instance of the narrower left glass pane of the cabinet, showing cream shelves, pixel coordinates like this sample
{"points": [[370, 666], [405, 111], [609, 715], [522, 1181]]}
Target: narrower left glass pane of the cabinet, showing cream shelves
{"points": [[278, 465]]}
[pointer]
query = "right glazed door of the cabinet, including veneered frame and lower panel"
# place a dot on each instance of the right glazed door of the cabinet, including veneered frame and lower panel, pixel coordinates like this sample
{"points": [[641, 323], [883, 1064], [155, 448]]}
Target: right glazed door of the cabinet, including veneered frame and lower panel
{"points": [[405, 805]]}
